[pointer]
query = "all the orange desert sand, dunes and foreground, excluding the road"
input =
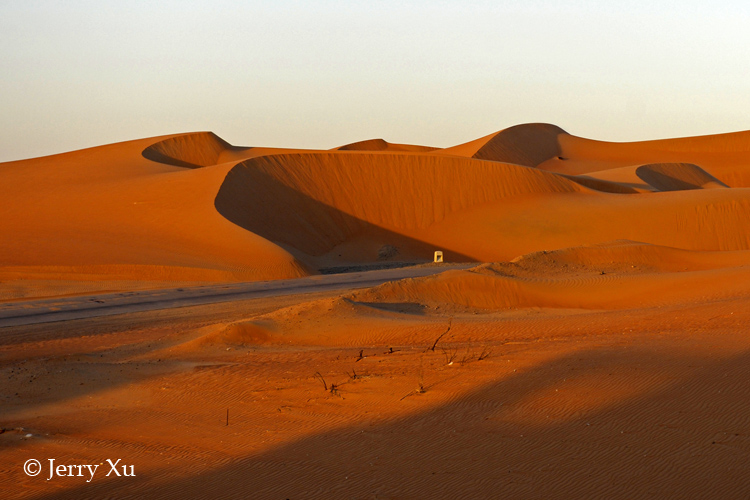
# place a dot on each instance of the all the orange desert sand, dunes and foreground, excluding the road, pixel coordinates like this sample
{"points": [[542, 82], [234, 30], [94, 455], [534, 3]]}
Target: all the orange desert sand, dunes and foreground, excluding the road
{"points": [[597, 348]]}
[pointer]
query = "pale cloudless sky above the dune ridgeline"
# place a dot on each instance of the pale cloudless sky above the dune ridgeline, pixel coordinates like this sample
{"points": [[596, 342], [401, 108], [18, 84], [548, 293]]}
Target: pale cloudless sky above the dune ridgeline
{"points": [[319, 74]]}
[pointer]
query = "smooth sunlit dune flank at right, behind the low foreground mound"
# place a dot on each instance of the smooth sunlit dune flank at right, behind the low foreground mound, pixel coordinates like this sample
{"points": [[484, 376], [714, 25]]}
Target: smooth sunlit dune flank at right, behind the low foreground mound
{"points": [[715, 219]]}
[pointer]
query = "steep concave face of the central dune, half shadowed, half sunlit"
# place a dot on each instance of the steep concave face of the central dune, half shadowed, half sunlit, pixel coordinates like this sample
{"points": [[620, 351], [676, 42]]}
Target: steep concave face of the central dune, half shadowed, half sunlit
{"points": [[313, 202]]}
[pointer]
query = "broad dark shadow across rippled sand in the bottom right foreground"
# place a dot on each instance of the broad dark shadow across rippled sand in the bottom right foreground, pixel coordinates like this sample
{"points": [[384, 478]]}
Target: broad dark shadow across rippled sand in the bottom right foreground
{"points": [[671, 436]]}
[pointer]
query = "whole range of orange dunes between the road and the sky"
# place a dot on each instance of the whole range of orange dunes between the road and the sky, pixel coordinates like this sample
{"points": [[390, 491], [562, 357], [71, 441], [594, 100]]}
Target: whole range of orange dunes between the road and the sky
{"points": [[193, 207]]}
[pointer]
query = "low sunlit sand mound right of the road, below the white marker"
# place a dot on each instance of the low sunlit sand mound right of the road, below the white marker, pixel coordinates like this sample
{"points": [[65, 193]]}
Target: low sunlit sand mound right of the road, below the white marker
{"points": [[576, 279]]}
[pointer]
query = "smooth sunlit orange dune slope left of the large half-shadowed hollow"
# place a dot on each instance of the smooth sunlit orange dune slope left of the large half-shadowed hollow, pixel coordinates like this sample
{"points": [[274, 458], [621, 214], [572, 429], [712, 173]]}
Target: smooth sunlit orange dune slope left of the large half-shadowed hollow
{"points": [[109, 211]]}
